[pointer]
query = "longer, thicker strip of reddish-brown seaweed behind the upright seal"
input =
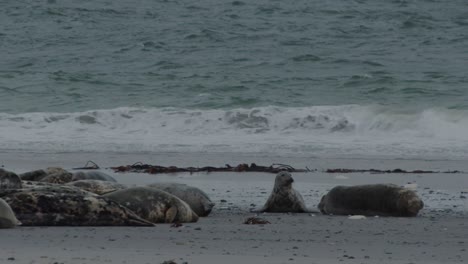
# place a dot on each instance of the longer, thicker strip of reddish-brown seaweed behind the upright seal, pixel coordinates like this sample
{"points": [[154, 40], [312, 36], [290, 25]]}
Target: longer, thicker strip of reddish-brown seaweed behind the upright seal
{"points": [[243, 167]]}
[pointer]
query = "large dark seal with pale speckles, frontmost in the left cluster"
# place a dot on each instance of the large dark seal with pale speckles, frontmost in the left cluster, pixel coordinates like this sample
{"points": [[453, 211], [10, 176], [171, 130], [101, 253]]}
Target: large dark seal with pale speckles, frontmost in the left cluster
{"points": [[45, 207]]}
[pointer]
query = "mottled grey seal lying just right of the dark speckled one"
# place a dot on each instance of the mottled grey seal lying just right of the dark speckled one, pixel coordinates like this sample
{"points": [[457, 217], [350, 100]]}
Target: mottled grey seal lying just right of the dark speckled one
{"points": [[154, 205]]}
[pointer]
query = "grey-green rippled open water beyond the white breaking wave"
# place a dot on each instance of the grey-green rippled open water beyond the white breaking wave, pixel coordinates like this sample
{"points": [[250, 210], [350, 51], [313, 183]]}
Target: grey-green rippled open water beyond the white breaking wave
{"points": [[67, 56]]}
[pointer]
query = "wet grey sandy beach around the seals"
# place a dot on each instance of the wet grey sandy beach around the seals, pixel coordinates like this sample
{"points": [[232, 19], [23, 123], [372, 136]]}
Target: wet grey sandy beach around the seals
{"points": [[438, 235]]}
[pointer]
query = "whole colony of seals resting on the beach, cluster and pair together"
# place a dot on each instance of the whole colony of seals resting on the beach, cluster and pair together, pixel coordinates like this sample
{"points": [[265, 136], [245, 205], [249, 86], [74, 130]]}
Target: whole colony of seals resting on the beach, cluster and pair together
{"points": [[55, 197]]}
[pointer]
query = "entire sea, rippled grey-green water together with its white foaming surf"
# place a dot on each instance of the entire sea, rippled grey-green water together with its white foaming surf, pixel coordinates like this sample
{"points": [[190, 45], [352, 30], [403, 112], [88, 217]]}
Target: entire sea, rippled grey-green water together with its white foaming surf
{"points": [[372, 78]]}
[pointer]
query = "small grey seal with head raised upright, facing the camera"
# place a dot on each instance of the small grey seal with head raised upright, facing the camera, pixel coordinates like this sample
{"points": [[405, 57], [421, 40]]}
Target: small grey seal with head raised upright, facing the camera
{"points": [[284, 198]]}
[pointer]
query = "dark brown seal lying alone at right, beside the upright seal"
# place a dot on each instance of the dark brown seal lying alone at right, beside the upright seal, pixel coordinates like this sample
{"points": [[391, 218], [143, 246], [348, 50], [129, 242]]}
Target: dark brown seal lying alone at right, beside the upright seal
{"points": [[371, 200]]}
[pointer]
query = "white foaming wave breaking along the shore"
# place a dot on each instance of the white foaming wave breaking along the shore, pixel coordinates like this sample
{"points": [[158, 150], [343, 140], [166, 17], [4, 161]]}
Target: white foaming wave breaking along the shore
{"points": [[316, 130]]}
